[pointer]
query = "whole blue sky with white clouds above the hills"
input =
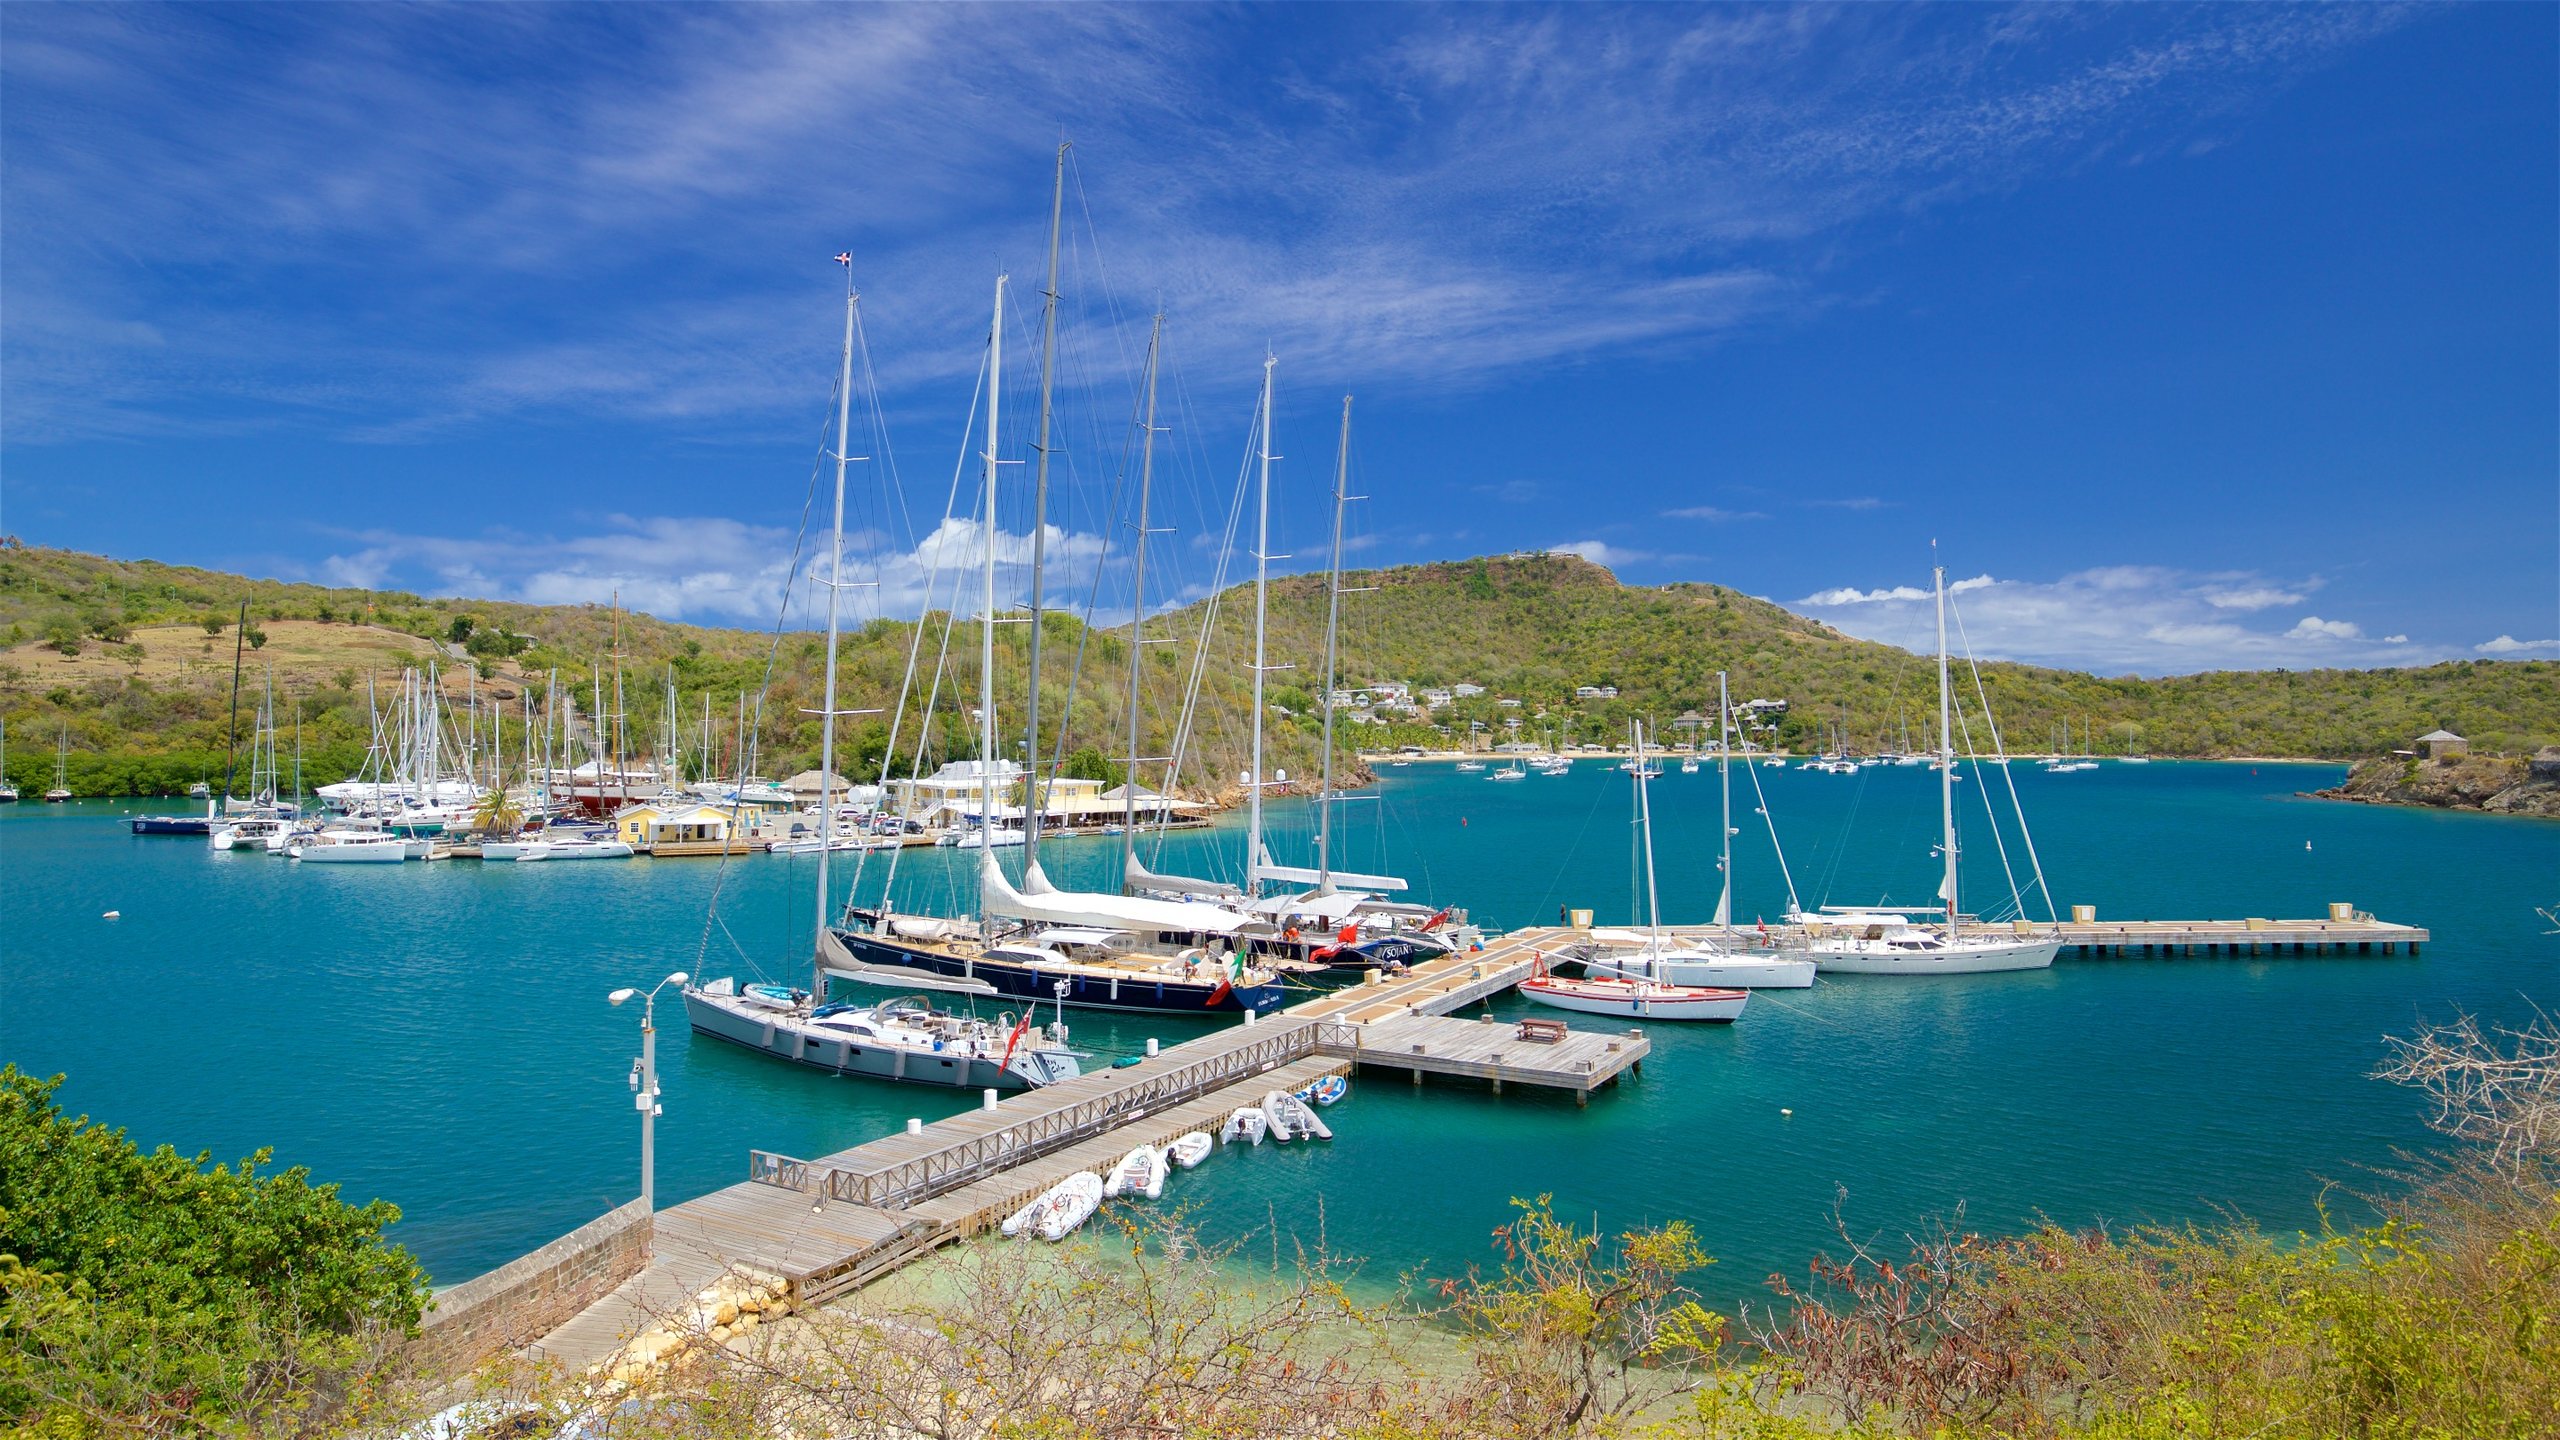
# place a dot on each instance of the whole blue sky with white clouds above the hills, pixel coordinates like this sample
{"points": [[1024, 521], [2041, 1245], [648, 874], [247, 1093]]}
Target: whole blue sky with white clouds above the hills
{"points": [[2195, 337]]}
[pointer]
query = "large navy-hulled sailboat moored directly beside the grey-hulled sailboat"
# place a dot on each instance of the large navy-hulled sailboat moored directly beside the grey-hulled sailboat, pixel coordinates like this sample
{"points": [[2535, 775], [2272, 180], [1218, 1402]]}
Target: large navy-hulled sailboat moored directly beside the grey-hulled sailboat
{"points": [[1033, 942]]}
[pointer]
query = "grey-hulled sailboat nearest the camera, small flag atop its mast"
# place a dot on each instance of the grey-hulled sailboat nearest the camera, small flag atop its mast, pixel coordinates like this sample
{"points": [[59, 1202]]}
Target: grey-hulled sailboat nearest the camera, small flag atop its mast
{"points": [[900, 1039]]}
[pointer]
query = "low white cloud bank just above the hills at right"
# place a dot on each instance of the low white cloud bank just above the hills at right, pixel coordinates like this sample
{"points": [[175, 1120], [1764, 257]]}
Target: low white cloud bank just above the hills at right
{"points": [[2113, 621]]}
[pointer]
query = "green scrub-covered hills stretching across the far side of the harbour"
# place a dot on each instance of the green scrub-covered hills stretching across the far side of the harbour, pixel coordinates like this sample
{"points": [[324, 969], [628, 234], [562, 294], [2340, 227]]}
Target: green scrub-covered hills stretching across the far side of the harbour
{"points": [[134, 660]]}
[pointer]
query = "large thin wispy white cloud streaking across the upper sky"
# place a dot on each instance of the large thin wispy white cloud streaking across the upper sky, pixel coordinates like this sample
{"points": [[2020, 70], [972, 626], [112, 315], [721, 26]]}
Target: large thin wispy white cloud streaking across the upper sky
{"points": [[398, 224]]}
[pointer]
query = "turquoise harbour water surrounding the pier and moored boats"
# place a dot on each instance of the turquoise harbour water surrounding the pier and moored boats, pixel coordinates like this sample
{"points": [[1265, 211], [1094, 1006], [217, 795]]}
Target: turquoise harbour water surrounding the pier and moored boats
{"points": [[439, 1034]]}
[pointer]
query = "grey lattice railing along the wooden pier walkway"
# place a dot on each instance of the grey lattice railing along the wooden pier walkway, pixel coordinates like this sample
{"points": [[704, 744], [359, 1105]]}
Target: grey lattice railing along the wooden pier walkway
{"points": [[1069, 1118]]}
